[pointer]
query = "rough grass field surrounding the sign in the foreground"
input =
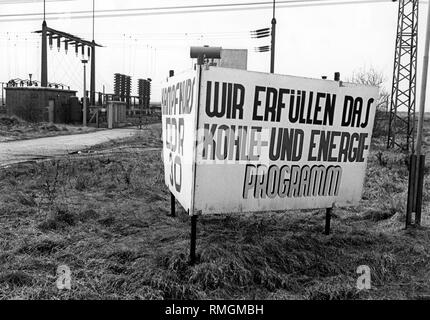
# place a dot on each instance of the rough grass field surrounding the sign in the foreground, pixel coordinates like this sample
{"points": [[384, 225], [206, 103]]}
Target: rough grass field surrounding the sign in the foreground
{"points": [[105, 214]]}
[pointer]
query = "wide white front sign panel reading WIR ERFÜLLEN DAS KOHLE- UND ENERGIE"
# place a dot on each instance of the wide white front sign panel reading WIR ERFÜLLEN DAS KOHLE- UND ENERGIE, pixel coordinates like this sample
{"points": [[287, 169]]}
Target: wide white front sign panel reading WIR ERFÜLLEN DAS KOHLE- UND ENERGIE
{"points": [[272, 142]]}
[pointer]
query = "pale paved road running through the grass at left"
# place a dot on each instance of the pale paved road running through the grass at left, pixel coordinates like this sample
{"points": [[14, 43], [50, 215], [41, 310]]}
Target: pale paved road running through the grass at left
{"points": [[26, 150]]}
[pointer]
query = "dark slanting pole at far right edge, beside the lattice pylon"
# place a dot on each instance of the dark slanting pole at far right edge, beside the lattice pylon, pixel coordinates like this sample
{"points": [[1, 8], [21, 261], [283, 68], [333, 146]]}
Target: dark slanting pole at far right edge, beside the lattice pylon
{"points": [[420, 159]]}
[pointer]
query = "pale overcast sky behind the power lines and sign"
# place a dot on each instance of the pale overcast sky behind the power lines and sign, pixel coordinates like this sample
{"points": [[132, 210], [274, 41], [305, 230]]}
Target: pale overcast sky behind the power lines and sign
{"points": [[311, 41]]}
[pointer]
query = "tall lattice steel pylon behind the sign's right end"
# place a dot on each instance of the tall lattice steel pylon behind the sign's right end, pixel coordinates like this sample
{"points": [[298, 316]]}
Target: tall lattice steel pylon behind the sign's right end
{"points": [[401, 130]]}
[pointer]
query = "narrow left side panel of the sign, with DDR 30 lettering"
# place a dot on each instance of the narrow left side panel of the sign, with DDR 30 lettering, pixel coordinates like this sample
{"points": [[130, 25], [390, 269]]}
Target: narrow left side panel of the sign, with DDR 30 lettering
{"points": [[178, 106]]}
